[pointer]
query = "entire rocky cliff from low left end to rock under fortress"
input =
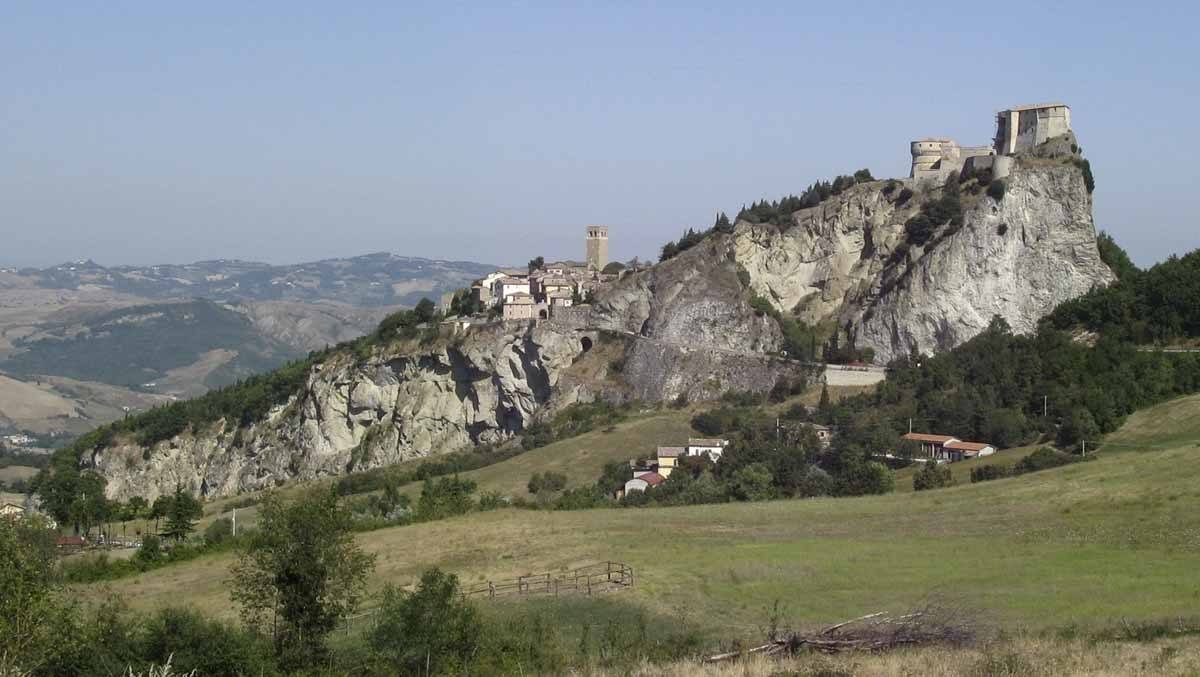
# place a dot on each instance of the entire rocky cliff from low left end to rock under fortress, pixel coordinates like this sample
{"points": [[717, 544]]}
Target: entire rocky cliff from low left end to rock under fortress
{"points": [[685, 328]]}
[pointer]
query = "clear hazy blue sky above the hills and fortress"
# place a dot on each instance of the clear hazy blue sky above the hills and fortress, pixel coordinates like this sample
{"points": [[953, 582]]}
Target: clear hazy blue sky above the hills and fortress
{"points": [[164, 133]]}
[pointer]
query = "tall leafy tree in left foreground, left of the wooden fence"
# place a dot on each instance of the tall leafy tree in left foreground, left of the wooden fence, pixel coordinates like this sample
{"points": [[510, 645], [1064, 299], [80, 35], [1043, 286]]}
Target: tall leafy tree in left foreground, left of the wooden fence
{"points": [[302, 572]]}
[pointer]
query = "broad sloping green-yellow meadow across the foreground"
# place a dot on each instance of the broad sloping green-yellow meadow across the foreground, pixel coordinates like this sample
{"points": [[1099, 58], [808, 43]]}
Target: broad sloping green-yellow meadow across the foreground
{"points": [[1093, 543]]}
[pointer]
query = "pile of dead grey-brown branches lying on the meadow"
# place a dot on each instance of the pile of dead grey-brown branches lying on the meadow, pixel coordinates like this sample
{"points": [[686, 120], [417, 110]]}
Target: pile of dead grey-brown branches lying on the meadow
{"points": [[879, 632]]}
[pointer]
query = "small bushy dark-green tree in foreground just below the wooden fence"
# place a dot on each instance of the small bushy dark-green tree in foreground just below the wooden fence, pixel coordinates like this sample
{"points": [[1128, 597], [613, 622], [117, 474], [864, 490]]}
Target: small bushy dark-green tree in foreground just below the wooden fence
{"points": [[429, 632]]}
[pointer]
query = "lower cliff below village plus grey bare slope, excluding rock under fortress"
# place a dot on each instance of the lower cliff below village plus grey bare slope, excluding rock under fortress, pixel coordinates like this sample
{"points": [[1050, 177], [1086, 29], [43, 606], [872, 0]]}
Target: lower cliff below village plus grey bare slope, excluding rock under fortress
{"points": [[681, 329]]}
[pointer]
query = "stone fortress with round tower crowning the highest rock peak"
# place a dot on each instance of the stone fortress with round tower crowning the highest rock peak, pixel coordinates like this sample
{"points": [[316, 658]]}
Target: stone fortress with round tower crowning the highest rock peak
{"points": [[1018, 129]]}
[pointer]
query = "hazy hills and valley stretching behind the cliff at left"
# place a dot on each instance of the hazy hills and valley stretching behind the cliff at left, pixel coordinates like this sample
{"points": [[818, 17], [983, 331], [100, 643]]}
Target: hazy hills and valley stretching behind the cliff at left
{"points": [[81, 343]]}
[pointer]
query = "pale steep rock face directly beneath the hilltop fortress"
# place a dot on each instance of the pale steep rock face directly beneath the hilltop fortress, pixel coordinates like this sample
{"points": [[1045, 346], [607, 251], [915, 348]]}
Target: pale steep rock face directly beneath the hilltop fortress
{"points": [[1018, 257]]}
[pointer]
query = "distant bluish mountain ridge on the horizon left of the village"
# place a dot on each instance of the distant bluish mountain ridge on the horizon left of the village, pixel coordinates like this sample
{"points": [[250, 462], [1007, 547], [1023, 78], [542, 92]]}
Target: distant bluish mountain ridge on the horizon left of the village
{"points": [[374, 280]]}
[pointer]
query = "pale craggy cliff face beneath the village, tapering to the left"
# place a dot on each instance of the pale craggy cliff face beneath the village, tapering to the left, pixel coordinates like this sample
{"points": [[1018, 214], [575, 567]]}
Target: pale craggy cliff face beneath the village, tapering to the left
{"points": [[359, 416]]}
